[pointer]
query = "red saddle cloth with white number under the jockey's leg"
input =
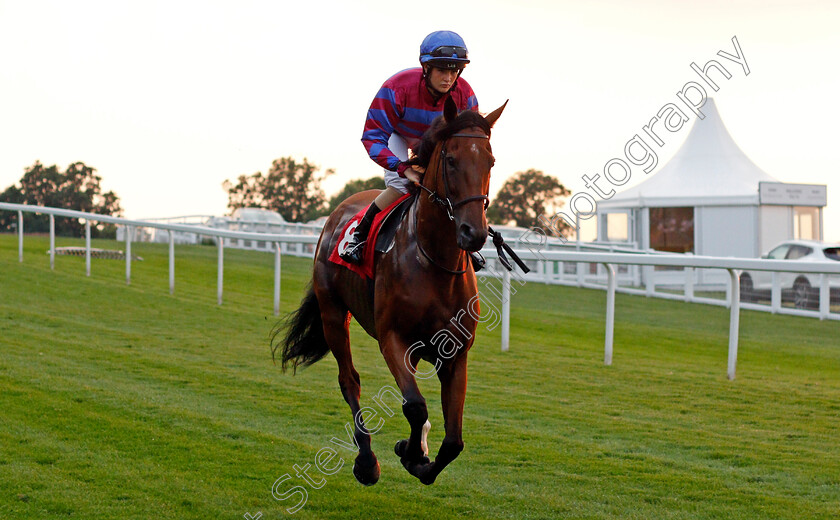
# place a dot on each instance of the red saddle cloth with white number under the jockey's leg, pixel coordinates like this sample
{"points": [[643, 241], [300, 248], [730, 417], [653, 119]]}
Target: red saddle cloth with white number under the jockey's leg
{"points": [[381, 236]]}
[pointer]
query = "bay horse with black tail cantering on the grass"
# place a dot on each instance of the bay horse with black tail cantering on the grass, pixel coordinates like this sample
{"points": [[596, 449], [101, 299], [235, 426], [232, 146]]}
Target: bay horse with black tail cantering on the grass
{"points": [[424, 286]]}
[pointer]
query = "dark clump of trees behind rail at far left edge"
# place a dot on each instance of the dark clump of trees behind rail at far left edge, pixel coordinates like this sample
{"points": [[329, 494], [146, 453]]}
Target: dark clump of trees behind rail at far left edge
{"points": [[77, 188]]}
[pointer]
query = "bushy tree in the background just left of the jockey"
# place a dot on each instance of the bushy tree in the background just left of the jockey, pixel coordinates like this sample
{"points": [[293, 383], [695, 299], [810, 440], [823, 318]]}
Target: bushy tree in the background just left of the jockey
{"points": [[290, 188]]}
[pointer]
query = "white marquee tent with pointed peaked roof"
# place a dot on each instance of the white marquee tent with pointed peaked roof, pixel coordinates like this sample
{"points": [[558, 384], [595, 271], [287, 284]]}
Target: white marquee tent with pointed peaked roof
{"points": [[711, 199]]}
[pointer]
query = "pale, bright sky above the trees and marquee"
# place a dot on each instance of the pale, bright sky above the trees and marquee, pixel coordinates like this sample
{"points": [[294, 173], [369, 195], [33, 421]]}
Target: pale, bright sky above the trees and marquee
{"points": [[168, 99]]}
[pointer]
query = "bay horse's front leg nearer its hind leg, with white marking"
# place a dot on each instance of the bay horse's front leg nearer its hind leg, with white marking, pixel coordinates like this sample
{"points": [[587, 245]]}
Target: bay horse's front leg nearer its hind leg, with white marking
{"points": [[411, 450]]}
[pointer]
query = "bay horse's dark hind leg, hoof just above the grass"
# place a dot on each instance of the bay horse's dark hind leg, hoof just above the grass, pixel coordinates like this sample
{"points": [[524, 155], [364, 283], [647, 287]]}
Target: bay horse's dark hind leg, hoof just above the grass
{"points": [[336, 332]]}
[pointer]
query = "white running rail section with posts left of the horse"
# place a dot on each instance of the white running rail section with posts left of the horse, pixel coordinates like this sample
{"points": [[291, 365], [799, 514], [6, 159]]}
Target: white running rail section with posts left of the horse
{"points": [[130, 225]]}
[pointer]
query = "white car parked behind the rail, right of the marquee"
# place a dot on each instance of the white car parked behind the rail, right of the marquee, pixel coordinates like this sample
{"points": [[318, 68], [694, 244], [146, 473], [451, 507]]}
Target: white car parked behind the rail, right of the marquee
{"points": [[800, 288]]}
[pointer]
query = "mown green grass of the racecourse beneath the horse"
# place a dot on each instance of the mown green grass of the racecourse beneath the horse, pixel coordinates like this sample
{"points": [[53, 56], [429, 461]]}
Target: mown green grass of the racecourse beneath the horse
{"points": [[121, 401]]}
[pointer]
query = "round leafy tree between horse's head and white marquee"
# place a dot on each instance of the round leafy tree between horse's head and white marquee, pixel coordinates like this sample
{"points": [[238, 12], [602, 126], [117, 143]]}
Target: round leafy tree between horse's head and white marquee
{"points": [[527, 195]]}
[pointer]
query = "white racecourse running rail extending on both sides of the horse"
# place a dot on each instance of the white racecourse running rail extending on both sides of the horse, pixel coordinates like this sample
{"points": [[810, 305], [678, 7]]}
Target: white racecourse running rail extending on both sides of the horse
{"points": [[607, 259]]}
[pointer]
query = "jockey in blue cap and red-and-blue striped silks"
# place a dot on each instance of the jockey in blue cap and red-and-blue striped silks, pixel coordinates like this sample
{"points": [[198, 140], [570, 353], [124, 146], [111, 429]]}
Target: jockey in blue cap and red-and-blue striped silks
{"points": [[401, 112]]}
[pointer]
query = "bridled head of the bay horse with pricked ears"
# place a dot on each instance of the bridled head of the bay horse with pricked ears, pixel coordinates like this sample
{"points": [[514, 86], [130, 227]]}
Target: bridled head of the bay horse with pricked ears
{"points": [[459, 159]]}
